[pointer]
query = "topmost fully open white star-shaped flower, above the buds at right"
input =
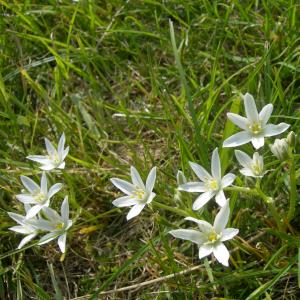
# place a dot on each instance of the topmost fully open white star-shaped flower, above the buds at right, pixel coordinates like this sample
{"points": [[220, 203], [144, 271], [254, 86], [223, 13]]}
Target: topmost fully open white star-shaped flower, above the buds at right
{"points": [[255, 125]]}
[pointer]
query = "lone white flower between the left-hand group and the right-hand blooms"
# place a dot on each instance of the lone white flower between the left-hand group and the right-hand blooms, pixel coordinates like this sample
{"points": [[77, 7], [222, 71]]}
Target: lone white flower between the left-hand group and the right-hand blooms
{"points": [[138, 194]]}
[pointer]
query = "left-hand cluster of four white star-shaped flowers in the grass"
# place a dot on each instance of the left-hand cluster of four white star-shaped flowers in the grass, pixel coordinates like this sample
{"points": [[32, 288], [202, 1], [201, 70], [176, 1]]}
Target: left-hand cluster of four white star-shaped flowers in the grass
{"points": [[36, 198]]}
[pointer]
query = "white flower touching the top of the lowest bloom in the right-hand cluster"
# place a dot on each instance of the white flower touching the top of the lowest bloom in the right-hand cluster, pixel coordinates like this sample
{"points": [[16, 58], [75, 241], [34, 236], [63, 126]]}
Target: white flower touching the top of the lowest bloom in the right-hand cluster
{"points": [[210, 185]]}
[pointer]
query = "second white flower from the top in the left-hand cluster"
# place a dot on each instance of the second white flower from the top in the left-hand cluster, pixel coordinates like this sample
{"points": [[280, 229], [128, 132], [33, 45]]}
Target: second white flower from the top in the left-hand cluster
{"points": [[39, 196]]}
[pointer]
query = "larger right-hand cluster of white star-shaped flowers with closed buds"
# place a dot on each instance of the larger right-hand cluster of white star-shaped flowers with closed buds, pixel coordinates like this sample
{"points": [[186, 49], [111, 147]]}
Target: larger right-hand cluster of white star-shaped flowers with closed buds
{"points": [[210, 238]]}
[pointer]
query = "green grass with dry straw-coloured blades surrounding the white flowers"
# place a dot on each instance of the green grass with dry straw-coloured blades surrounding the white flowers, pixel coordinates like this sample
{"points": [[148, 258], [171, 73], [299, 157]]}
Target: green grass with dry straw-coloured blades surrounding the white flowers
{"points": [[128, 91]]}
